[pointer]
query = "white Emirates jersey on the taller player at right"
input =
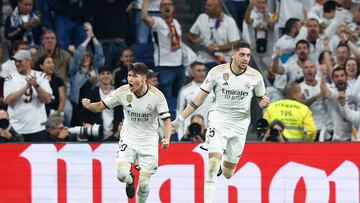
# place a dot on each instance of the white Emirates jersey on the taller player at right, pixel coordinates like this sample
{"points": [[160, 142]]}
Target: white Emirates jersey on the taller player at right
{"points": [[233, 94]]}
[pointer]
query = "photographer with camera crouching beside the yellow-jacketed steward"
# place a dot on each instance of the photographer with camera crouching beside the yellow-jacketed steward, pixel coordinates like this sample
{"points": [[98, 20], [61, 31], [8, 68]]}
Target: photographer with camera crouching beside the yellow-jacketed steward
{"points": [[275, 132]]}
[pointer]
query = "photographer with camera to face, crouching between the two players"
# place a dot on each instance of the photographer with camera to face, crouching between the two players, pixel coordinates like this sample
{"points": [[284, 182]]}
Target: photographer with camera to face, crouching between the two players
{"points": [[196, 130]]}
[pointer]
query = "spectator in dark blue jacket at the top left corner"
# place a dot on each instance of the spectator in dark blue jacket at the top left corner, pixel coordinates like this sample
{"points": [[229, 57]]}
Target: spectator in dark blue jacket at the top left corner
{"points": [[24, 24]]}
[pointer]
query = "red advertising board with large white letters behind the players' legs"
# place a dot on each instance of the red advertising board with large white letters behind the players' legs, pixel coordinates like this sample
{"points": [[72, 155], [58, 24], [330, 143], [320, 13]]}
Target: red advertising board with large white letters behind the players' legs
{"points": [[75, 173]]}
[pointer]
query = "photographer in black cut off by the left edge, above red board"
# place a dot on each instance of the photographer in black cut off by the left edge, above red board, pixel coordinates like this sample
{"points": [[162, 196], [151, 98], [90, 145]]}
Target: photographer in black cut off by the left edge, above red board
{"points": [[7, 133]]}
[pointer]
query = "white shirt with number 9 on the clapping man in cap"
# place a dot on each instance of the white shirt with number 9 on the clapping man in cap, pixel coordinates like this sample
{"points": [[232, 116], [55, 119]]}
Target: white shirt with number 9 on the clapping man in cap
{"points": [[27, 114]]}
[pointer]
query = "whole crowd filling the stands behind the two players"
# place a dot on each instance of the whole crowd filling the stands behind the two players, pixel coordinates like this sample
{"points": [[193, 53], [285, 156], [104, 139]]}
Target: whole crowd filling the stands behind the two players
{"points": [[57, 52]]}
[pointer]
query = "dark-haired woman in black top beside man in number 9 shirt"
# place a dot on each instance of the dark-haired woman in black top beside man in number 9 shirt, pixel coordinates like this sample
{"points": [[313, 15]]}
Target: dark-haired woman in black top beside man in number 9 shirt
{"points": [[46, 64]]}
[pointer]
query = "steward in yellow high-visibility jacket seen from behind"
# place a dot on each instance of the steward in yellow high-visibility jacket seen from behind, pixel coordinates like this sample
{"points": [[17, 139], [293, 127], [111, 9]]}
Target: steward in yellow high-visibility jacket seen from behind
{"points": [[297, 117]]}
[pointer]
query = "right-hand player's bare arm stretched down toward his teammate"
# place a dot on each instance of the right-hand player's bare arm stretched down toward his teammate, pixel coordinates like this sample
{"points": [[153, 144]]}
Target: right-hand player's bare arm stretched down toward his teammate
{"points": [[196, 102]]}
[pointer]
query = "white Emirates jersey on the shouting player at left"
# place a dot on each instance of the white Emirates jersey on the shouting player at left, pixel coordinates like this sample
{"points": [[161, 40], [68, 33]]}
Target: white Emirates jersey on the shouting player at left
{"points": [[141, 113]]}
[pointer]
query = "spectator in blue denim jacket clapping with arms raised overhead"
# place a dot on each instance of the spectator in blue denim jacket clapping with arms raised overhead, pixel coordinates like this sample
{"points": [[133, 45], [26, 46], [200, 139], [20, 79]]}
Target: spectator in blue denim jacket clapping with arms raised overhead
{"points": [[83, 72]]}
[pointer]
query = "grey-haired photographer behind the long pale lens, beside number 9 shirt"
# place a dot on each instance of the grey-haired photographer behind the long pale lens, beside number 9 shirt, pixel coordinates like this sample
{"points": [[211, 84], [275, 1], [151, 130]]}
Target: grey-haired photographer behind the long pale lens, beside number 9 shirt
{"points": [[56, 129]]}
